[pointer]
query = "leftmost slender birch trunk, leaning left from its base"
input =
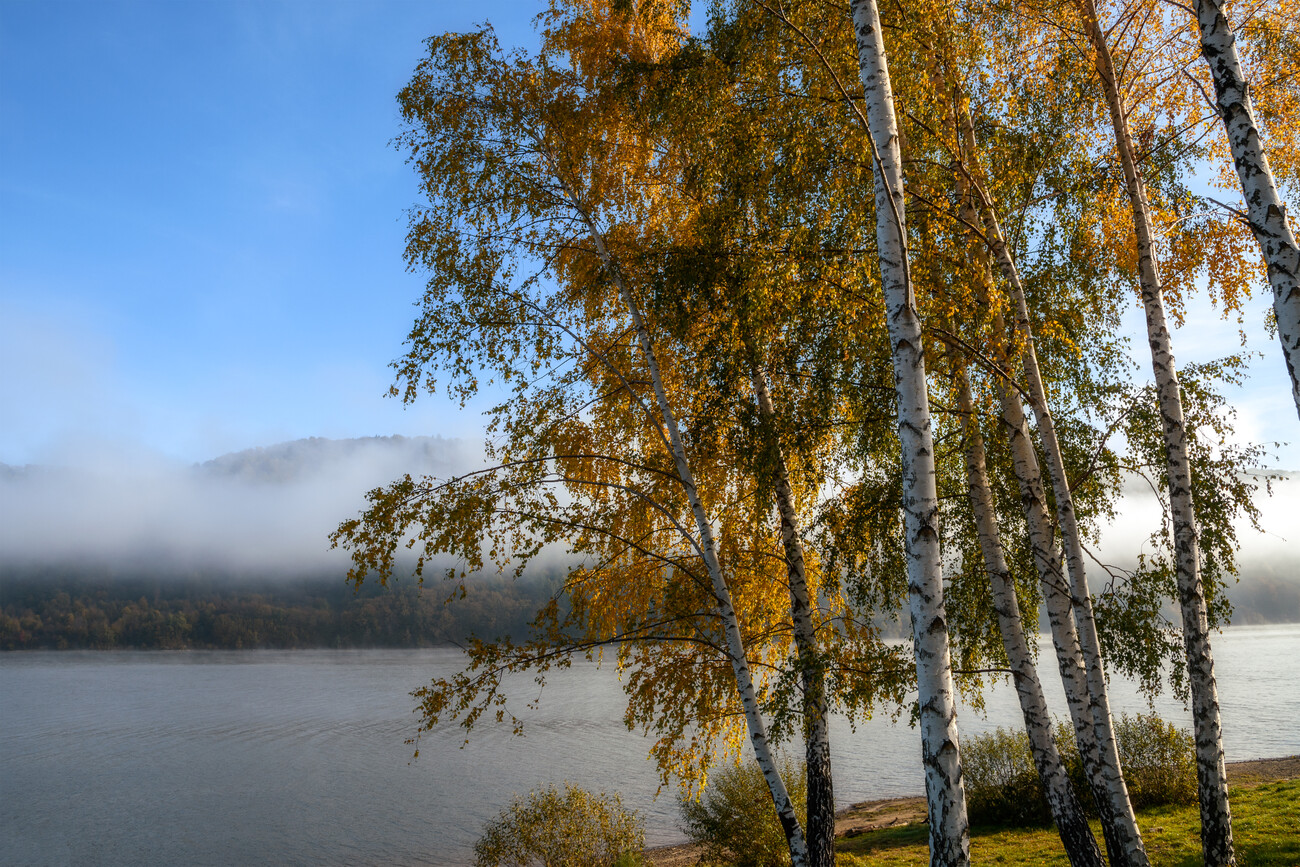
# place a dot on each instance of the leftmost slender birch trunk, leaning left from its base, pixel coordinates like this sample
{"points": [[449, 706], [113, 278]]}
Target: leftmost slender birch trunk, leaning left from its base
{"points": [[726, 610]]}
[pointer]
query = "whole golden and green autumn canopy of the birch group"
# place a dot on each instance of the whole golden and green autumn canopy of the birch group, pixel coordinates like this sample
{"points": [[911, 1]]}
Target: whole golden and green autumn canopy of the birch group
{"points": [[753, 294]]}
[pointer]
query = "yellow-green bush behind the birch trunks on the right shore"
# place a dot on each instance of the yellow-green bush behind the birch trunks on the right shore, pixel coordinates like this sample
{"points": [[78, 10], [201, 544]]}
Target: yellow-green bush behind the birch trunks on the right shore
{"points": [[1003, 786]]}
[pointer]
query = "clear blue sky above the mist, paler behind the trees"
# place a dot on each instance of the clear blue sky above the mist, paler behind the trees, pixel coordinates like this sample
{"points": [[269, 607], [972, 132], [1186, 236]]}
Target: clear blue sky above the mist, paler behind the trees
{"points": [[202, 228]]}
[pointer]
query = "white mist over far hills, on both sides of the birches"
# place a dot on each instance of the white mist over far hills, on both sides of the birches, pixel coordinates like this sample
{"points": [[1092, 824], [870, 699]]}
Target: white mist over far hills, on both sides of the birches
{"points": [[268, 513]]}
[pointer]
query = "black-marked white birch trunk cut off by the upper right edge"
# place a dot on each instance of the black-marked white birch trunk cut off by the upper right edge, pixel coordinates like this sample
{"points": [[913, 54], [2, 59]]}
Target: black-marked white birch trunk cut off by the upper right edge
{"points": [[1264, 207]]}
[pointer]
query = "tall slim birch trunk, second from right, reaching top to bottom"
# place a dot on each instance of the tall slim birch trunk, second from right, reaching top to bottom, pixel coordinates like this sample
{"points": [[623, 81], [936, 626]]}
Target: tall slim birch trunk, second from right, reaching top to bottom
{"points": [[1211, 774]]}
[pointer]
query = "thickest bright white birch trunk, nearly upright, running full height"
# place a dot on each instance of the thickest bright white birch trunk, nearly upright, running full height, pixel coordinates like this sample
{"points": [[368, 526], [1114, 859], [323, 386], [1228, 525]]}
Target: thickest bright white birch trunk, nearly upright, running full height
{"points": [[946, 795]]}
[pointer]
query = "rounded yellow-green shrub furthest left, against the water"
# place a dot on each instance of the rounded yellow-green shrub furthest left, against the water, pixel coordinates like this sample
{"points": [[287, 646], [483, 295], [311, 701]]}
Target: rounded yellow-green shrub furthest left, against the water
{"points": [[570, 829]]}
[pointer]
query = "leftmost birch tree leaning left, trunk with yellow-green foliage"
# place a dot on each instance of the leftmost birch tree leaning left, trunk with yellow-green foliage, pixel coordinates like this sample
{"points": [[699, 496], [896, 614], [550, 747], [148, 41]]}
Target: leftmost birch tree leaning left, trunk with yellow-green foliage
{"points": [[519, 168]]}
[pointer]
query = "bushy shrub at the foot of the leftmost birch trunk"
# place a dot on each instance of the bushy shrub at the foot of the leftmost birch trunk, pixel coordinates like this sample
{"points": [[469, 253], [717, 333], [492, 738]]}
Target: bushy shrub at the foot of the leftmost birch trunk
{"points": [[735, 821]]}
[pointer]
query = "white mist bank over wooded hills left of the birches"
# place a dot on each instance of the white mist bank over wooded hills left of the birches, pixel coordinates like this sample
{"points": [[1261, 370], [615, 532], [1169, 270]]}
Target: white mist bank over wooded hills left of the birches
{"points": [[265, 510]]}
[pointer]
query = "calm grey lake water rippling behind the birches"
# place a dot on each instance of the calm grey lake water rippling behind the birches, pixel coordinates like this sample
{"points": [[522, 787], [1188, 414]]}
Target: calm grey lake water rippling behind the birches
{"points": [[298, 757]]}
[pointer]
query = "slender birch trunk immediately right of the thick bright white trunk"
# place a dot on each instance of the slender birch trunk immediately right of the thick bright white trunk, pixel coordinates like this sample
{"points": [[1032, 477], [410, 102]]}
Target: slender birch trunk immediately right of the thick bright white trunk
{"points": [[1077, 838]]}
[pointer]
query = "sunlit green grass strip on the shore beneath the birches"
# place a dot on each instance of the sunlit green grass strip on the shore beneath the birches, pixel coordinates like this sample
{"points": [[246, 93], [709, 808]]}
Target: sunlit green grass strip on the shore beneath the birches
{"points": [[1266, 827]]}
